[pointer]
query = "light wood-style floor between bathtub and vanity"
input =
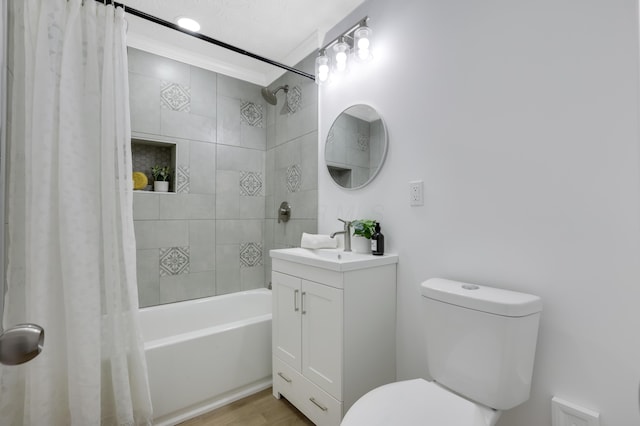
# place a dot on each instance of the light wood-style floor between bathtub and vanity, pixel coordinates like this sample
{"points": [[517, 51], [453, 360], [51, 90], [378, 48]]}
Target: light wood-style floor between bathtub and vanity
{"points": [[259, 409]]}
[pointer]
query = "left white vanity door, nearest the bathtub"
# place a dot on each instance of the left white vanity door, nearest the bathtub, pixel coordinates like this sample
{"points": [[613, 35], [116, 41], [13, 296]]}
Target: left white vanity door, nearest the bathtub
{"points": [[287, 296]]}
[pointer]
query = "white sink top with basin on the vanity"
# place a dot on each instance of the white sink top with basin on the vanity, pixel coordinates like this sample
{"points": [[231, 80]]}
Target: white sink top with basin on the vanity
{"points": [[333, 259]]}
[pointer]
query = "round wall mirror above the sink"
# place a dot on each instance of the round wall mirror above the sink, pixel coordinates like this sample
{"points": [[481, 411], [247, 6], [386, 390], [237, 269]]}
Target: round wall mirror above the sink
{"points": [[356, 146]]}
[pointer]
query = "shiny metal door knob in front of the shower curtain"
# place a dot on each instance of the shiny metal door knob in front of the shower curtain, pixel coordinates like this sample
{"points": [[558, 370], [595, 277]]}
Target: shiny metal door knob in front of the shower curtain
{"points": [[21, 343]]}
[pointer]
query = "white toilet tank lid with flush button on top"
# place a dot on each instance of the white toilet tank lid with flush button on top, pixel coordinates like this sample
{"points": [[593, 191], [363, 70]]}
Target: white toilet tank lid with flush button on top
{"points": [[482, 298]]}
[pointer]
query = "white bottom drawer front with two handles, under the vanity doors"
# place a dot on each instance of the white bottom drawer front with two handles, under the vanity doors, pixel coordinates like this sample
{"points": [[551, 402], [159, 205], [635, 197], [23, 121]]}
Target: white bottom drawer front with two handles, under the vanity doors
{"points": [[316, 404]]}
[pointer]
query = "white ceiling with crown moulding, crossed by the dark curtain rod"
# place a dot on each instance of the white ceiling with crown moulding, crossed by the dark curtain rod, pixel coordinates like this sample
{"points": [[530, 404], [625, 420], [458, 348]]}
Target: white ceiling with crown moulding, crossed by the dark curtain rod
{"points": [[285, 31]]}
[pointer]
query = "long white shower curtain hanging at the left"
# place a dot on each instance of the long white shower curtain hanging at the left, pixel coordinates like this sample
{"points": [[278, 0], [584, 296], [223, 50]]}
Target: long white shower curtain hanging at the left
{"points": [[71, 265]]}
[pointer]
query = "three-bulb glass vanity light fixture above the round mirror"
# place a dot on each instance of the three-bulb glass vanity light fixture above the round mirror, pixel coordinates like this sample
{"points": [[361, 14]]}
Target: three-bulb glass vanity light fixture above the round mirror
{"points": [[356, 43]]}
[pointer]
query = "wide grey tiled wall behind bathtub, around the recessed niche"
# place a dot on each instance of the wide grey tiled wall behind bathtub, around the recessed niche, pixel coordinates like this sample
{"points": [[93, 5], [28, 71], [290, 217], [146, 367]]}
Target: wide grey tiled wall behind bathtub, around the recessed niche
{"points": [[208, 237]]}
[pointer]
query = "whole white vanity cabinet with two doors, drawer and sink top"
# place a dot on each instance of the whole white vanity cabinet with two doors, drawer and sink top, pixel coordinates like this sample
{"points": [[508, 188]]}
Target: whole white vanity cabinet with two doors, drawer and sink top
{"points": [[333, 329]]}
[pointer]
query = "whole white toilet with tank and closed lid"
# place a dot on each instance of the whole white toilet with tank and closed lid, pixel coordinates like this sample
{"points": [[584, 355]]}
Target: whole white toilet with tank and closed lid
{"points": [[481, 344]]}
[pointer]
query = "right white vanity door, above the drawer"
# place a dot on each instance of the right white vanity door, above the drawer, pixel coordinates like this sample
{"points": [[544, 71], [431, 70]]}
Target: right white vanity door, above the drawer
{"points": [[321, 308]]}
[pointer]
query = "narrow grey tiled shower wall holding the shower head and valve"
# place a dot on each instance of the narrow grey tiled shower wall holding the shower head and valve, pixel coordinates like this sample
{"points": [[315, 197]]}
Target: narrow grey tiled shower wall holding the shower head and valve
{"points": [[292, 161]]}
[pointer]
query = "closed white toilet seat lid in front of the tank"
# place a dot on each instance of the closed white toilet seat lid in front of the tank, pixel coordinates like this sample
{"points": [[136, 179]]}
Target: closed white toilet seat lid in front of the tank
{"points": [[417, 402]]}
